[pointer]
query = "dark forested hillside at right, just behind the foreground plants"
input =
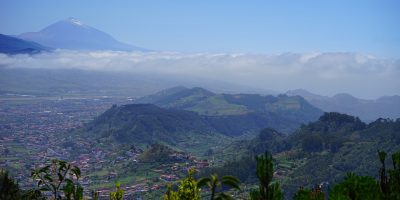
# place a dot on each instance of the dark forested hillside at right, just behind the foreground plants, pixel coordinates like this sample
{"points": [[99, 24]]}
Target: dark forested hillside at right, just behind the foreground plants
{"points": [[319, 152]]}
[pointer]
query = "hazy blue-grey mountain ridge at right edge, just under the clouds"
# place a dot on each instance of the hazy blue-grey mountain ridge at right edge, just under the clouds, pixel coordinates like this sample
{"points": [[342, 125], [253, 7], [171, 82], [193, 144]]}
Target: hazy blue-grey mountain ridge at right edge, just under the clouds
{"points": [[367, 110]]}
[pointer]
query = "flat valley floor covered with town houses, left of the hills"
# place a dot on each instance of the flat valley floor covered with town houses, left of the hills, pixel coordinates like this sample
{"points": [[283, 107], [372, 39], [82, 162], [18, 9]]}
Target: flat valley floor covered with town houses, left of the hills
{"points": [[34, 131]]}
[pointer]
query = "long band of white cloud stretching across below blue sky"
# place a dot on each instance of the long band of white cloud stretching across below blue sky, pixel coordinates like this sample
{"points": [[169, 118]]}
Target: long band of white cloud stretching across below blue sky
{"points": [[323, 73]]}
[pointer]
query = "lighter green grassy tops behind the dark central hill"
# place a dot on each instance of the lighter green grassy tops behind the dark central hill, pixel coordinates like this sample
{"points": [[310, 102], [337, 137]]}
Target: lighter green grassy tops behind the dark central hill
{"points": [[204, 102]]}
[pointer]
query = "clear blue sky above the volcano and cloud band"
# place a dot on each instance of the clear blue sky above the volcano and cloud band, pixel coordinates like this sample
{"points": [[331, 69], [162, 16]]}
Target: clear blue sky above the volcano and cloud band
{"points": [[369, 27]]}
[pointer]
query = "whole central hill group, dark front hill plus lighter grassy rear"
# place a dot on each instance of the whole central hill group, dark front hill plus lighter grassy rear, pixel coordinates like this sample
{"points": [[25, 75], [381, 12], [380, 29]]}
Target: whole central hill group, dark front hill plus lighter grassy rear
{"points": [[182, 116]]}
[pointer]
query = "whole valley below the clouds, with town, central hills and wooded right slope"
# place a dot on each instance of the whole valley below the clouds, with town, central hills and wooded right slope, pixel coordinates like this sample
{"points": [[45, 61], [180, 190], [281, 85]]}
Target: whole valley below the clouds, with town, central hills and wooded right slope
{"points": [[146, 146]]}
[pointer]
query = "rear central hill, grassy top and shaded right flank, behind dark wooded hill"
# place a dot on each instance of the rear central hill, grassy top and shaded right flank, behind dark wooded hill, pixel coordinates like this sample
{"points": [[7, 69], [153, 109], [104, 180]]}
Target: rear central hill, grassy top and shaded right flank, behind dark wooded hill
{"points": [[281, 112]]}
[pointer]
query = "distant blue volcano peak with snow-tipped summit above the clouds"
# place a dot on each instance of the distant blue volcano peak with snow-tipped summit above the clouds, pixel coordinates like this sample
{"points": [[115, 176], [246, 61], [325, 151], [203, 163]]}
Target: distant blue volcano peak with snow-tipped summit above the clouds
{"points": [[73, 34]]}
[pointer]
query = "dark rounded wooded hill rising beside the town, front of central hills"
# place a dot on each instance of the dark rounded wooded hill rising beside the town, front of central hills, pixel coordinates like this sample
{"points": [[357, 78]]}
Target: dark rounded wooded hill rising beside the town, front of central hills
{"points": [[143, 124]]}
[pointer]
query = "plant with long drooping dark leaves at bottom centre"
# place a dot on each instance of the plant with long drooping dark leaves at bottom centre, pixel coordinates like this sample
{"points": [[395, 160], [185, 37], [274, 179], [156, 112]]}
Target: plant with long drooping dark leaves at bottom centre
{"points": [[213, 182]]}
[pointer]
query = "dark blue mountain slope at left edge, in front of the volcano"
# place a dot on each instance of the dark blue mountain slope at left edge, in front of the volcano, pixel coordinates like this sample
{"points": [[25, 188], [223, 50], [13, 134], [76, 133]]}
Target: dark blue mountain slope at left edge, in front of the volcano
{"points": [[12, 45]]}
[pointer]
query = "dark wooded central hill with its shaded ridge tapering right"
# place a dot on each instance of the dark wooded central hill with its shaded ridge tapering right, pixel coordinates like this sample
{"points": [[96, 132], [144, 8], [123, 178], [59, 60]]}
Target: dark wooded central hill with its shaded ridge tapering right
{"points": [[146, 124]]}
